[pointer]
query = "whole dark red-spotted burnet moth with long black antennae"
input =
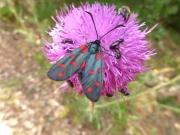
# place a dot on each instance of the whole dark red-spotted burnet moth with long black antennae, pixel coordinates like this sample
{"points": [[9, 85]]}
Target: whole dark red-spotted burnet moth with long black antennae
{"points": [[87, 62]]}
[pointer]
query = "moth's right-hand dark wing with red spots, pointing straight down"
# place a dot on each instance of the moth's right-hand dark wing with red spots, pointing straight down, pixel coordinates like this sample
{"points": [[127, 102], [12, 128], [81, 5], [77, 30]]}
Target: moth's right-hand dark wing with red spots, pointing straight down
{"points": [[92, 77]]}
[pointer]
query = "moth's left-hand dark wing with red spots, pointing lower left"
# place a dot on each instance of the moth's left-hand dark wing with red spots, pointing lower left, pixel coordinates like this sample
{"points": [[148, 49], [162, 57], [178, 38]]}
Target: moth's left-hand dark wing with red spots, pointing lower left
{"points": [[69, 65]]}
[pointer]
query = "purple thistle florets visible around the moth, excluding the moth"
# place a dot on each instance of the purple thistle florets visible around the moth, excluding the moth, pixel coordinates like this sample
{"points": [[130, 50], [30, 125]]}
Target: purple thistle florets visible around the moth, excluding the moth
{"points": [[76, 26]]}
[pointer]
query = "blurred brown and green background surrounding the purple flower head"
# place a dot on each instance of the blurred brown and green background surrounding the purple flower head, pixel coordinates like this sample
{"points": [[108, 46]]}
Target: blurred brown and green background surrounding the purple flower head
{"points": [[30, 103]]}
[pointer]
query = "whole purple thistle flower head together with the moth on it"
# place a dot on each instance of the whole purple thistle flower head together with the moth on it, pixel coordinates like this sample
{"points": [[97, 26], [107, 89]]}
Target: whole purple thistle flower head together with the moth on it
{"points": [[90, 58]]}
